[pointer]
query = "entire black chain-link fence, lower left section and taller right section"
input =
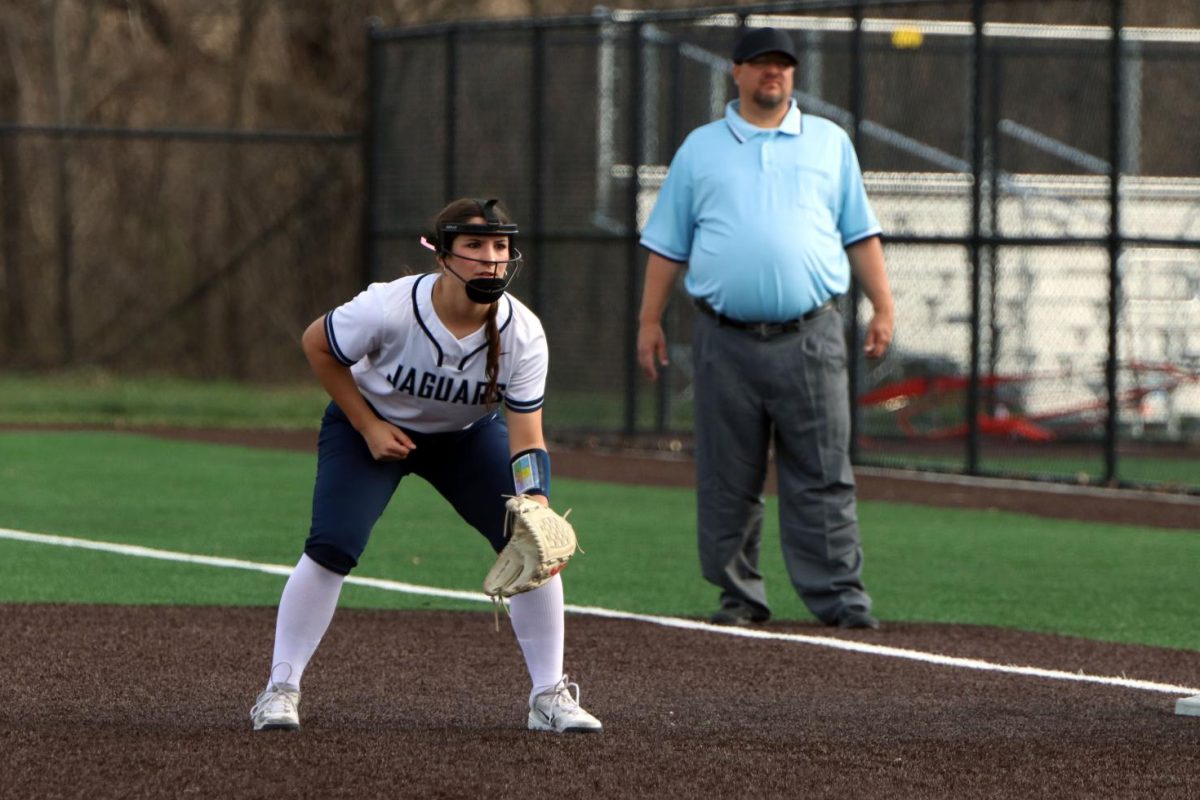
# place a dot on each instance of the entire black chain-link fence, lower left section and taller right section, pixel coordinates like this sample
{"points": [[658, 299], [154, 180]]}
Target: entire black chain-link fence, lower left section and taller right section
{"points": [[1048, 314]]}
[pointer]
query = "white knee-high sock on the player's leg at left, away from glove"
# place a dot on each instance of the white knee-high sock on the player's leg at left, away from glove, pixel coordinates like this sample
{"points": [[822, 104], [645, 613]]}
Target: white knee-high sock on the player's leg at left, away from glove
{"points": [[305, 612]]}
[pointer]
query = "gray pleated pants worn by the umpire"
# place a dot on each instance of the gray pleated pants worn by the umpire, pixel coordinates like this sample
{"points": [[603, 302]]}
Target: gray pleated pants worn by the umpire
{"points": [[791, 392]]}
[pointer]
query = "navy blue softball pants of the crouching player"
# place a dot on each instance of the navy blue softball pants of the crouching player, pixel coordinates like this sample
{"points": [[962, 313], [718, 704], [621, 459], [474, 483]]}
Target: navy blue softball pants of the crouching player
{"points": [[470, 468]]}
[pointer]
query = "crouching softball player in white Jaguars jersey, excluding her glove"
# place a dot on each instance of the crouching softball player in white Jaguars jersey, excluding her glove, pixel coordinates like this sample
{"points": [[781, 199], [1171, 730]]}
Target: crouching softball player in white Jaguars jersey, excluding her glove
{"points": [[417, 370]]}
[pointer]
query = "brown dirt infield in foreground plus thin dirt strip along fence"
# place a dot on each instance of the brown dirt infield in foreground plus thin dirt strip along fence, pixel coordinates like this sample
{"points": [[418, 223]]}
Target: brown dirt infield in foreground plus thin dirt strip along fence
{"points": [[121, 702]]}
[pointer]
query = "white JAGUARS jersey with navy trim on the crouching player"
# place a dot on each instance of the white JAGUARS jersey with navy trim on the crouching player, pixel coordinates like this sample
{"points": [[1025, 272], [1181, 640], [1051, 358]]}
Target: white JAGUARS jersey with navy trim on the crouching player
{"points": [[417, 375]]}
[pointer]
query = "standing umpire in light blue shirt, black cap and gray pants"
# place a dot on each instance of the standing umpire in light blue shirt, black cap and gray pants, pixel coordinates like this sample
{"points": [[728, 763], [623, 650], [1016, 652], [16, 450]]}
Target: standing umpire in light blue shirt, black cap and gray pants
{"points": [[767, 212]]}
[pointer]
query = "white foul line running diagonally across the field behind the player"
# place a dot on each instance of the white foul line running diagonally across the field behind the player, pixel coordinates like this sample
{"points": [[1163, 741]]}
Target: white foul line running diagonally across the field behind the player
{"points": [[592, 611]]}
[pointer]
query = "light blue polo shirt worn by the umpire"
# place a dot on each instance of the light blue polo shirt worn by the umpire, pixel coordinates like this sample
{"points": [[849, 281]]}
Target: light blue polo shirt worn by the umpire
{"points": [[763, 216]]}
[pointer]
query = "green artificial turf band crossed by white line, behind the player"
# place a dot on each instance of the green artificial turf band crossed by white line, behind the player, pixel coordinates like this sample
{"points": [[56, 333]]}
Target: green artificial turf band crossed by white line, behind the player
{"points": [[1105, 582]]}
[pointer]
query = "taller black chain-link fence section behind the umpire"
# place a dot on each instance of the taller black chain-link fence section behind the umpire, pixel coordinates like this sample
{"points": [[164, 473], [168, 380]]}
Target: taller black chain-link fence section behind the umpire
{"points": [[1048, 316]]}
